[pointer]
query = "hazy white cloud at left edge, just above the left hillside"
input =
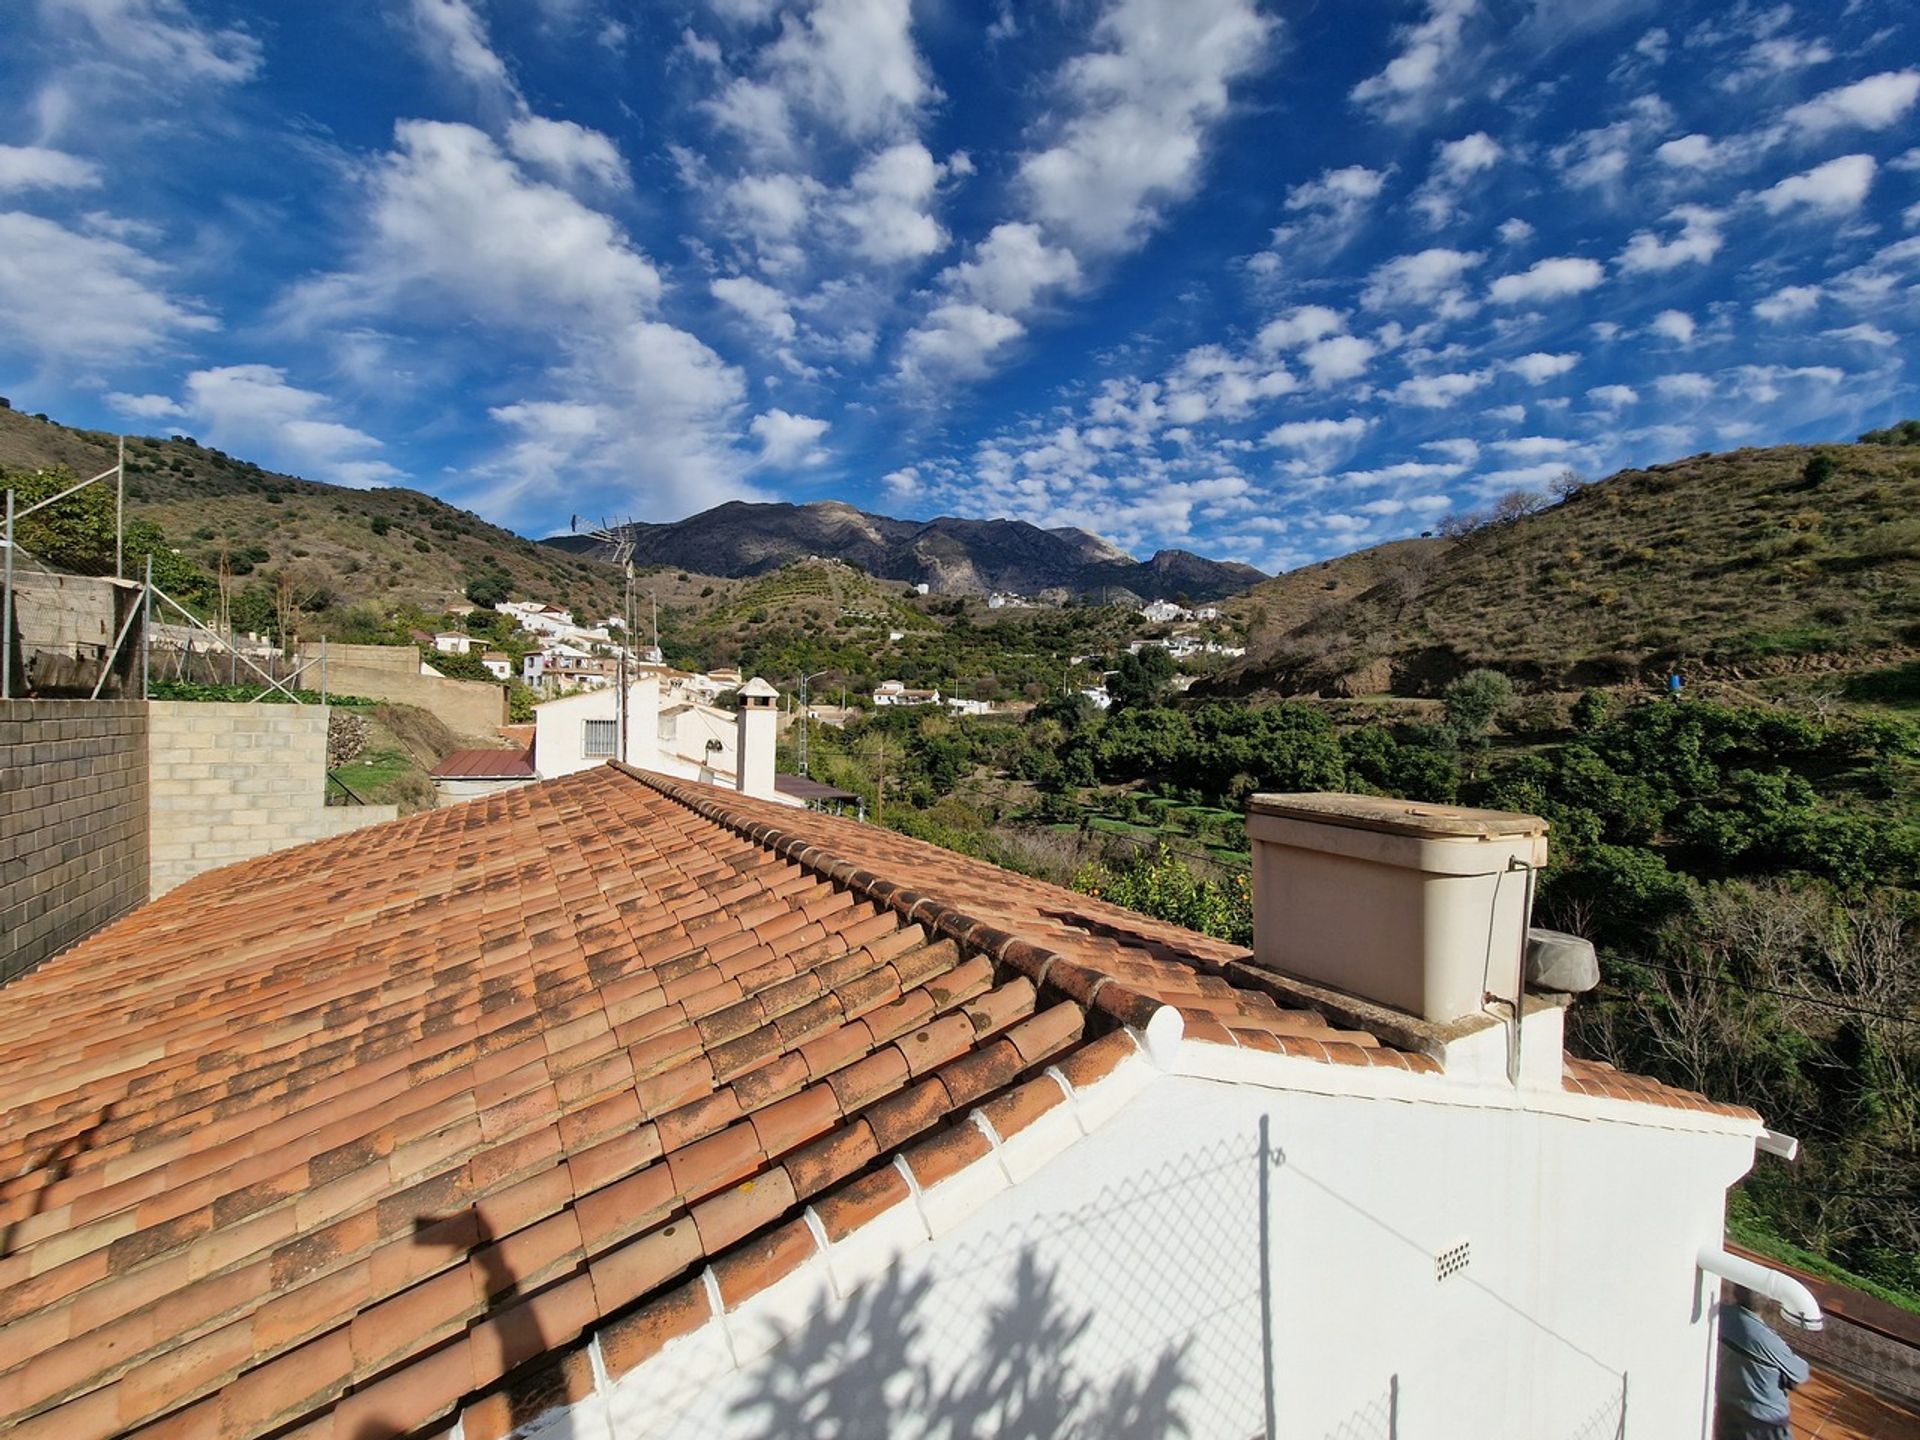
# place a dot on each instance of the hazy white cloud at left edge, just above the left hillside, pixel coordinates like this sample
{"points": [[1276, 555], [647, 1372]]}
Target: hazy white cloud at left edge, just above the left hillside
{"points": [[82, 299]]}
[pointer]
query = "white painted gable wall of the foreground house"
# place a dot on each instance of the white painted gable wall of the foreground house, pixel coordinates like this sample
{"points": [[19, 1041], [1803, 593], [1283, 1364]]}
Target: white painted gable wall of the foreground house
{"points": [[1118, 1291]]}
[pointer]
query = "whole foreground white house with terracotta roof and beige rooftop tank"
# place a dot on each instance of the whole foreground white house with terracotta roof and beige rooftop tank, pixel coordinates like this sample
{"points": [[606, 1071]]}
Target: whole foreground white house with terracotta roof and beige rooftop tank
{"points": [[631, 1107]]}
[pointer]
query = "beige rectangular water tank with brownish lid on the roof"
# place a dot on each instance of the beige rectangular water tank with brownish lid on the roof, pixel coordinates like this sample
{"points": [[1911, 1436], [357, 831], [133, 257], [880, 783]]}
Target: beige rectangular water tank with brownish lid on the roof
{"points": [[1418, 907]]}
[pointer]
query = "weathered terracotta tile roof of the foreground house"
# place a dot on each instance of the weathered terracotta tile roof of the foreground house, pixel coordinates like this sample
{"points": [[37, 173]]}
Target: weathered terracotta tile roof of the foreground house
{"points": [[347, 1136]]}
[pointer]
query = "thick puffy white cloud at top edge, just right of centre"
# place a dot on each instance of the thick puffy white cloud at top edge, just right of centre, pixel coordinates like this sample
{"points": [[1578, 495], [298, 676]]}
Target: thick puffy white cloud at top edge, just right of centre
{"points": [[1138, 116]]}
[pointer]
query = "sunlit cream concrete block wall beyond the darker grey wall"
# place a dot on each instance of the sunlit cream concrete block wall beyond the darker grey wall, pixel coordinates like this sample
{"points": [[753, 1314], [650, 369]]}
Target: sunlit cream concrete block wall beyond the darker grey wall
{"points": [[229, 782]]}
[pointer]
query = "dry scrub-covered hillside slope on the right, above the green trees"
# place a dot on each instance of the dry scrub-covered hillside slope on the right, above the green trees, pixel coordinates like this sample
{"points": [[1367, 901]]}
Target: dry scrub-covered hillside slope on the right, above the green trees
{"points": [[1758, 562]]}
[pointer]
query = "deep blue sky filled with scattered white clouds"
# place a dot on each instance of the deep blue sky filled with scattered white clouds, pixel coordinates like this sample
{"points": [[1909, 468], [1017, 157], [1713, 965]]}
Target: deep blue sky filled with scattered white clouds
{"points": [[1266, 281]]}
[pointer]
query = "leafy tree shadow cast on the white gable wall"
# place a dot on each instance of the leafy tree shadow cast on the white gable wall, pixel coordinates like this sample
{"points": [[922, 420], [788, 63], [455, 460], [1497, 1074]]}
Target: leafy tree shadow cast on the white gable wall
{"points": [[863, 1372]]}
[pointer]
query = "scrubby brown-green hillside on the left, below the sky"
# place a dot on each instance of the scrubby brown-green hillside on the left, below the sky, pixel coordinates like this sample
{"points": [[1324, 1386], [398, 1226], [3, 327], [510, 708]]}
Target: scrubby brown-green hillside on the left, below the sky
{"points": [[396, 548]]}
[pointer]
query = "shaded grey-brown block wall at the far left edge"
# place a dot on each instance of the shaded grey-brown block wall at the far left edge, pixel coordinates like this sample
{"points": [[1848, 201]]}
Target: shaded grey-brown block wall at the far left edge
{"points": [[74, 811]]}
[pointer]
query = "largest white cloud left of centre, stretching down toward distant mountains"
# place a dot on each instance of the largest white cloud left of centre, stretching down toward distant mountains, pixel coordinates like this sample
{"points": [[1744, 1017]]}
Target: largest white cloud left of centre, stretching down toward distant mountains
{"points": [[627, 408]]}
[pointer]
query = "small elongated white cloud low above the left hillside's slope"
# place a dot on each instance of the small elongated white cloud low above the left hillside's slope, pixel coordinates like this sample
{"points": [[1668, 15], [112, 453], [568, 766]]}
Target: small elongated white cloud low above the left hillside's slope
{"points": [[252, 408]]}
